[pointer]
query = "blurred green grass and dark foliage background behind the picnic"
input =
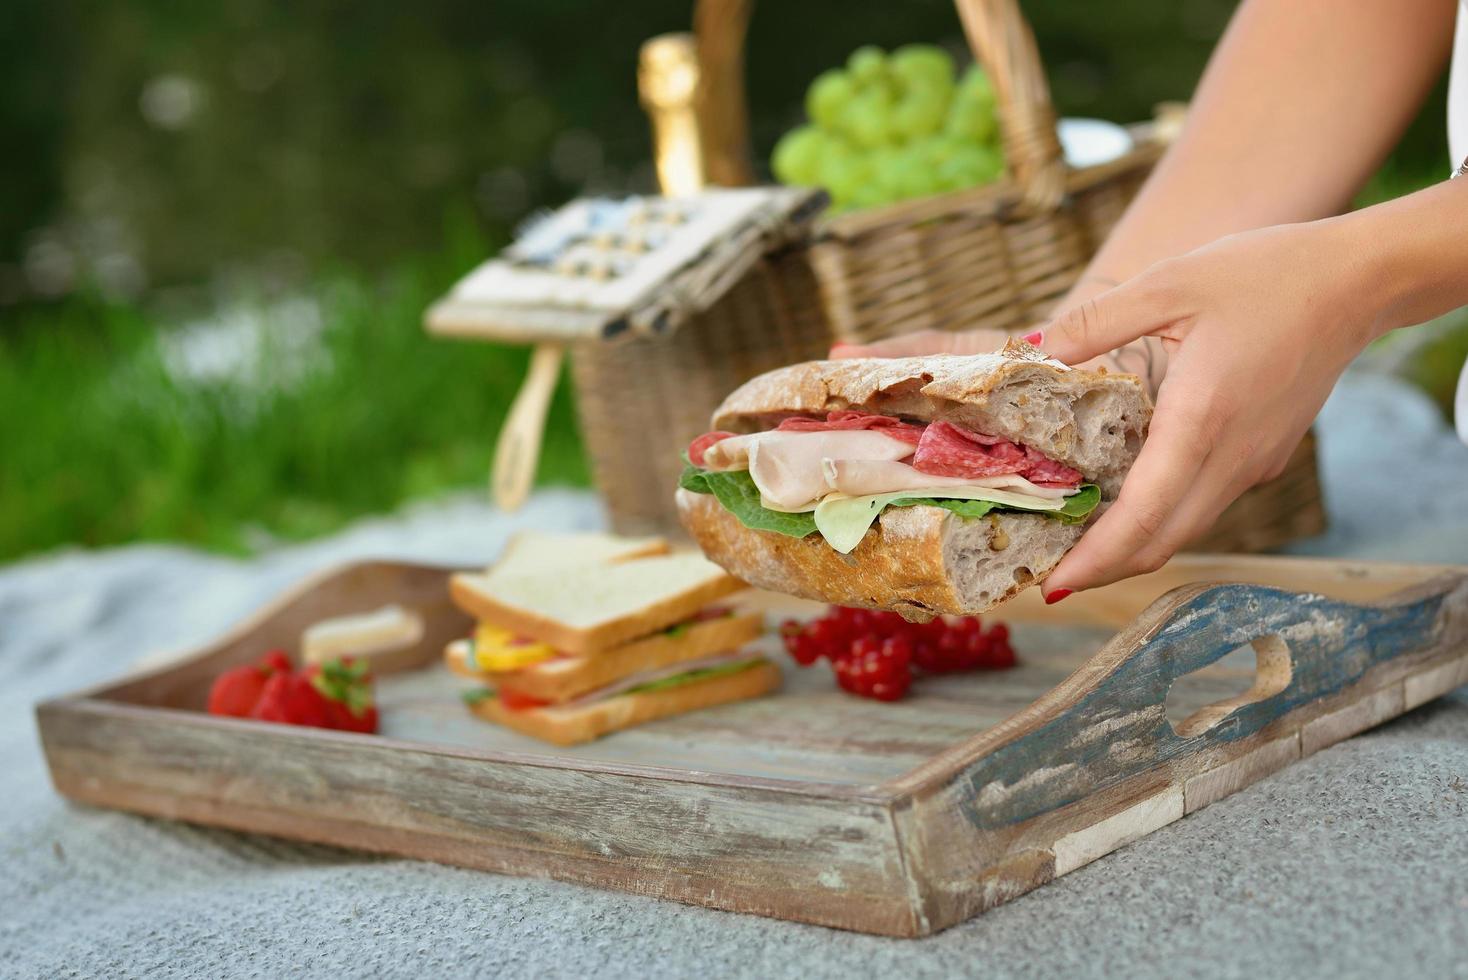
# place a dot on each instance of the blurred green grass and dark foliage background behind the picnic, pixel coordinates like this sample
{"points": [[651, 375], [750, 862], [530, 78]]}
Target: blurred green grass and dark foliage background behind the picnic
{"points": [[221, 225]]}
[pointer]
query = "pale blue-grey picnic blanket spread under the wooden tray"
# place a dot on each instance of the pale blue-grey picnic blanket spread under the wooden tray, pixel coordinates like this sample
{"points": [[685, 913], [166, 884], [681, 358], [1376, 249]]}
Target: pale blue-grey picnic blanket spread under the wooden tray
{"points": [[1351, 863]]}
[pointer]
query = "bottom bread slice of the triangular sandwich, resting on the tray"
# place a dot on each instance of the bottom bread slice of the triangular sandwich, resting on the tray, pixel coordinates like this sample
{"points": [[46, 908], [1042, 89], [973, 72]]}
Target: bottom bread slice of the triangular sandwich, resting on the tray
{"points": [[584, 724]]}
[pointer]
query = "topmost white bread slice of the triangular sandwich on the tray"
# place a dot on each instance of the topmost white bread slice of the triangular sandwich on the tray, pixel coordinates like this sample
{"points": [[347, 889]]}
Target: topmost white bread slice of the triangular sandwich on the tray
{"points": [[585, 610]]}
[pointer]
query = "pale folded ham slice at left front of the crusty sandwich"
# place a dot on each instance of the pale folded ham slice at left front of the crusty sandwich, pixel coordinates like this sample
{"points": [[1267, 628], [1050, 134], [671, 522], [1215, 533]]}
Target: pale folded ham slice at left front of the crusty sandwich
{"points": [[786, 466]]}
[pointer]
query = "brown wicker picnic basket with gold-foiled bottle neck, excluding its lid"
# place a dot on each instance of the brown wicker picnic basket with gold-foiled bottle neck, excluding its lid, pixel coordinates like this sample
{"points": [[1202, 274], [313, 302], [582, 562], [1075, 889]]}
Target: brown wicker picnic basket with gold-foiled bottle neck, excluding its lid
{"points": [[999, 256]]}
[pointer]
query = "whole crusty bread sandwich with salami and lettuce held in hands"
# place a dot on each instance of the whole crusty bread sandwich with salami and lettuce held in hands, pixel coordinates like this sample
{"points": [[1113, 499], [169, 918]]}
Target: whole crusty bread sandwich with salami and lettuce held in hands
{"points": [[931, 485]]}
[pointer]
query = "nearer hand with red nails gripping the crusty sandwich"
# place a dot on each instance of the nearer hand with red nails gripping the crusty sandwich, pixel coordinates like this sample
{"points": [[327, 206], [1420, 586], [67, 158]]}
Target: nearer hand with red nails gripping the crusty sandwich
{"points": [[1257, 328]]}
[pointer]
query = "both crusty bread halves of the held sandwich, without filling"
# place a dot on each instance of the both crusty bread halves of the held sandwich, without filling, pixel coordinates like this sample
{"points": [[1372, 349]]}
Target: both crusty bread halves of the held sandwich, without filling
{"points": [[927, 561]]}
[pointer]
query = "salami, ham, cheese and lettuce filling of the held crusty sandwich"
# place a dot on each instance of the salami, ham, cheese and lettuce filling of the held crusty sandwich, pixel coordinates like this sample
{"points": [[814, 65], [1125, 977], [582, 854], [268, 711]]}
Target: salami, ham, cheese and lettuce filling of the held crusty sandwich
{"points": [[836, 476]]}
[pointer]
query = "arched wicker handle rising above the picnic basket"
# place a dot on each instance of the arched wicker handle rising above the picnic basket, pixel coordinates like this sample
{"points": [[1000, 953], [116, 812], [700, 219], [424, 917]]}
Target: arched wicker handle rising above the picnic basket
{"points": [[1002, 40]]}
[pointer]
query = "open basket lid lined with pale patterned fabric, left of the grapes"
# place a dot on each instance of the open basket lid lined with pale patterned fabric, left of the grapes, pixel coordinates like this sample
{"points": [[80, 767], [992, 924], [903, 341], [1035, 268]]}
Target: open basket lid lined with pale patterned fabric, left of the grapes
{"points": [[603, 269]]}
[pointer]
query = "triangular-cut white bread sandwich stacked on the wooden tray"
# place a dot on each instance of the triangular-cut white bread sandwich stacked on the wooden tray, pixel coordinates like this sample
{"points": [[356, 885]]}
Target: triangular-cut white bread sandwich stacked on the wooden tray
{"points": [[575, 649]]}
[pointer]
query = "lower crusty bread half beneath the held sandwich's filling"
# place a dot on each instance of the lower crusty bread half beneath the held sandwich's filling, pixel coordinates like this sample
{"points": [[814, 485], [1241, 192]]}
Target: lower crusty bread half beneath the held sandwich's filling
{"points": [[904, 564]]}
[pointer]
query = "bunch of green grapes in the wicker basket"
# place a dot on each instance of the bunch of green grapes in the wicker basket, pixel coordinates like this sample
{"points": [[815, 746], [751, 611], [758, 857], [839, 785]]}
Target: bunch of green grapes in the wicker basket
{"points": [[892, 128]]}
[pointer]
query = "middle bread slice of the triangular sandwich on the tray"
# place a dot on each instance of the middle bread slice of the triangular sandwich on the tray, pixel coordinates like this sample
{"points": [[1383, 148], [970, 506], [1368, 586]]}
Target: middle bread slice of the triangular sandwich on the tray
{"points": [[567, 679]]}
